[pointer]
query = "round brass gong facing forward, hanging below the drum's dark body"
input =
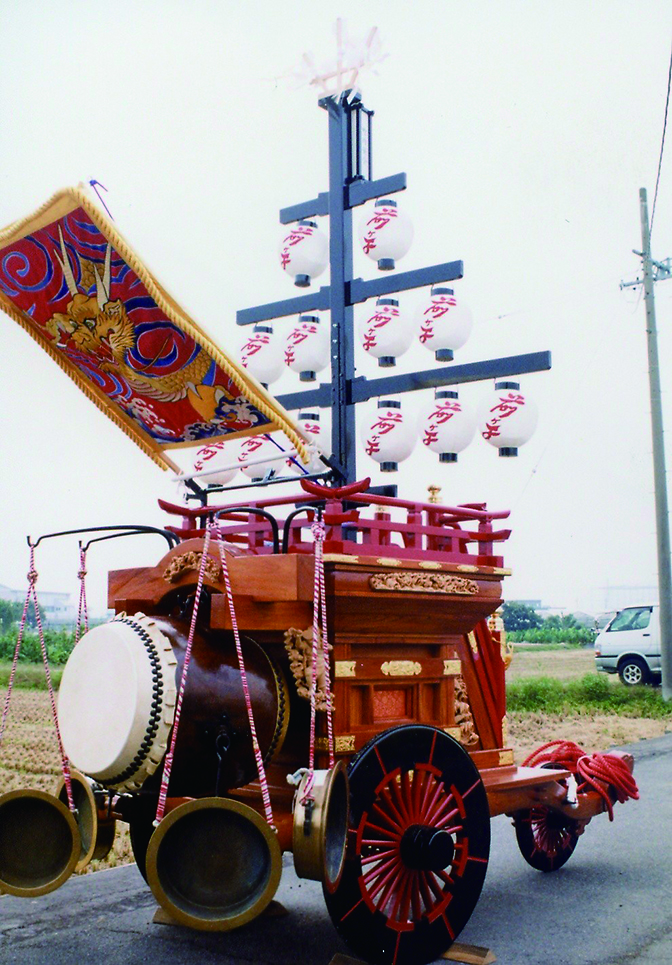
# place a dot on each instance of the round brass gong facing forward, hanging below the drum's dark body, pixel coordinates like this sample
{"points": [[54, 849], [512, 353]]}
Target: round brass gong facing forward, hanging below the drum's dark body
{"points": [[213, 864]]}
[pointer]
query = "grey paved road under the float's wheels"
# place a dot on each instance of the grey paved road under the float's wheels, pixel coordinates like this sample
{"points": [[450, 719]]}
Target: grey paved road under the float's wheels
{"points": [[610, 905]]}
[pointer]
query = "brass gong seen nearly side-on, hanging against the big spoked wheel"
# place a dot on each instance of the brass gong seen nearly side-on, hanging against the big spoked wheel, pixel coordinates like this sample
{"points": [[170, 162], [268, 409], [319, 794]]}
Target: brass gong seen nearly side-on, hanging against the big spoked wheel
{"points": [[321, 826]]}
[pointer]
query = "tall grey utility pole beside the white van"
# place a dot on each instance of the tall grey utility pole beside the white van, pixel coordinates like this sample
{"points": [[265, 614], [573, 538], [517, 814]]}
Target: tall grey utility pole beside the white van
{"points": [[657, 271]]}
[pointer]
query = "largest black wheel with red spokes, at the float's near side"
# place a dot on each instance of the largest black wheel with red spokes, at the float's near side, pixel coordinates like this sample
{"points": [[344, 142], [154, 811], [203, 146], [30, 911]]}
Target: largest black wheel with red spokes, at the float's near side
{"points": [[417, 850]]}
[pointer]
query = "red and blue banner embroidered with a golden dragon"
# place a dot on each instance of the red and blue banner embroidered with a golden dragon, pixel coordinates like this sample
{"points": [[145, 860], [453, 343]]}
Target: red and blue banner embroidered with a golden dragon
{"points": [[74, 284]]}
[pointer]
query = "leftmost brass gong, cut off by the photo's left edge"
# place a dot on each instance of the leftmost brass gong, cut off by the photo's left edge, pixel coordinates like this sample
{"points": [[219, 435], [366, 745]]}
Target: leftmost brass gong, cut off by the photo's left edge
{"points": [[39, 843]]}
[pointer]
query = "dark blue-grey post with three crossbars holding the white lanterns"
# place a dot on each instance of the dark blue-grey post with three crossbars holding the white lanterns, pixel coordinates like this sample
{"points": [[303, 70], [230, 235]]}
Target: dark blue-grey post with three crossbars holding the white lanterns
{"points": [[349, 188]]}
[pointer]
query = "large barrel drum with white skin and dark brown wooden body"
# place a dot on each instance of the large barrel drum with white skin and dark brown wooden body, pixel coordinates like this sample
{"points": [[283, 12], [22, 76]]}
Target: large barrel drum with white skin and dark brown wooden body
{"points": [[213, 752]]}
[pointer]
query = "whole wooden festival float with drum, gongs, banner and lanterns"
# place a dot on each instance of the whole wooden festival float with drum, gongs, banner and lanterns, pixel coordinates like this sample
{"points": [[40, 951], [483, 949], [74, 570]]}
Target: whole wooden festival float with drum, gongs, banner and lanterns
{"points": [[319, 672]]}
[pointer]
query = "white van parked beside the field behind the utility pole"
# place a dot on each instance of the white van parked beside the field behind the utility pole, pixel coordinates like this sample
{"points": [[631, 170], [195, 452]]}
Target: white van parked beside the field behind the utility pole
{"points": [[629, 645]]}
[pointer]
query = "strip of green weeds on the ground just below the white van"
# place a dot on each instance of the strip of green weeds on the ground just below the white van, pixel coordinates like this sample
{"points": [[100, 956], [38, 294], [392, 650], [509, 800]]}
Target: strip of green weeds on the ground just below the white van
{"points": [[593, 693]]}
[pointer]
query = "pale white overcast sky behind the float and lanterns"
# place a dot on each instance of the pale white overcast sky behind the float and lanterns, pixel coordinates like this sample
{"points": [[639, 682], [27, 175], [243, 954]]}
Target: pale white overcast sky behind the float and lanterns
{"points": [[526, 131]]}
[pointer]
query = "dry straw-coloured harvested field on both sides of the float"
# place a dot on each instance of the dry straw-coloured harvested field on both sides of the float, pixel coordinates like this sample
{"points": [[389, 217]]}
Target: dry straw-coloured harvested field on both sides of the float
{"points": [[29, 755]]}
